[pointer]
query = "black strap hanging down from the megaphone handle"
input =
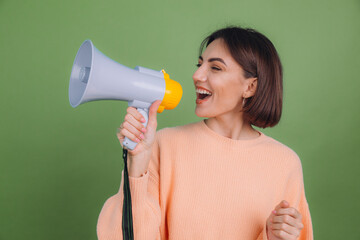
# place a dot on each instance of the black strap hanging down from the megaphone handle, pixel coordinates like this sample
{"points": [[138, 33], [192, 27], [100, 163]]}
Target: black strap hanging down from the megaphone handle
{"points": [[127, 225]]}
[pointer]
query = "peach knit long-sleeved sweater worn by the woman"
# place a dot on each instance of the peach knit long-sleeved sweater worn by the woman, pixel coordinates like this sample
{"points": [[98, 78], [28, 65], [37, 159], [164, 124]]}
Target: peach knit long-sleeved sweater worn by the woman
{"points": [[201, 185]]}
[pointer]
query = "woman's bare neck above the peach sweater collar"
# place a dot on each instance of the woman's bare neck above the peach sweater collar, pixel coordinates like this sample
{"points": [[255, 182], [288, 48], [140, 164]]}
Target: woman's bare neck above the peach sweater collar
{"points": [[232, 126]]}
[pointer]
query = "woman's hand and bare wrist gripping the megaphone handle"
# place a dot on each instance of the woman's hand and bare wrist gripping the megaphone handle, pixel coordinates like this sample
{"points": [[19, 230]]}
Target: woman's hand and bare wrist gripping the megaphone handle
{"points": [[133, 129]]}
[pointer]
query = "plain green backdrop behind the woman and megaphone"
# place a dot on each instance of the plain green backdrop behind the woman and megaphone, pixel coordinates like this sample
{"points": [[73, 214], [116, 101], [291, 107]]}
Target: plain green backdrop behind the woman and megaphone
{"points": [[60, 164]]}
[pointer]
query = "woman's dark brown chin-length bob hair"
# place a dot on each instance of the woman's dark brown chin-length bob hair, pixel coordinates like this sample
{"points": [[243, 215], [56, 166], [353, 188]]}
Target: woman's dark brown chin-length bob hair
{"points": [[258, 58]]}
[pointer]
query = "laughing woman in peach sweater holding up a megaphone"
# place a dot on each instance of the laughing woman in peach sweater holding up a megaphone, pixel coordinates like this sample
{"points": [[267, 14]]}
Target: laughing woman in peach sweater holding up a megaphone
{"points": [[218, 178]]}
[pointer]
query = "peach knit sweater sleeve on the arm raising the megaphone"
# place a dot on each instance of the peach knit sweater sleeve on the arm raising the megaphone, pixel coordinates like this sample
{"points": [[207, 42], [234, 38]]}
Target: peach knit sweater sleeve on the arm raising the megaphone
{"points": [[145, 207]]}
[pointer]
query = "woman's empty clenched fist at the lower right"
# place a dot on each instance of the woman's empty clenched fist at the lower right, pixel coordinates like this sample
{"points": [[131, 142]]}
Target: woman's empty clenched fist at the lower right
{"points": [[284, 222]]}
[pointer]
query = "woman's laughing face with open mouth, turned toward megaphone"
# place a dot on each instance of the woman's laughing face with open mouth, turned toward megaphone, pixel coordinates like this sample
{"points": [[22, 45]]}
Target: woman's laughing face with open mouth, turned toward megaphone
{"points": [[219, 82]]}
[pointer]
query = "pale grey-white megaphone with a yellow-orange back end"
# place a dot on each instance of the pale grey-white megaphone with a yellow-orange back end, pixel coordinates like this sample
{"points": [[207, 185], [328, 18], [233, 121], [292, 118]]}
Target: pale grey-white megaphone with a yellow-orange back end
{"points": [[94, 76]]}
